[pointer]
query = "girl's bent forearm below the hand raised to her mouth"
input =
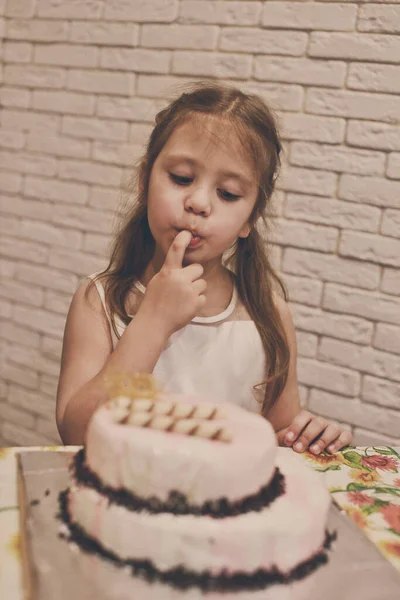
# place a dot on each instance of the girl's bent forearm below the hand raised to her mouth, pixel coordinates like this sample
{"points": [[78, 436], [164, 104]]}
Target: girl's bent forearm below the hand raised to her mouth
{"points": [[137, 351]]}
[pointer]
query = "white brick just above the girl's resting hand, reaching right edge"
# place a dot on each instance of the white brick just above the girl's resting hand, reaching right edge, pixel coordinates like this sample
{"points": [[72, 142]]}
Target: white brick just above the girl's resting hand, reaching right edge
{"points": [[354, 412]]}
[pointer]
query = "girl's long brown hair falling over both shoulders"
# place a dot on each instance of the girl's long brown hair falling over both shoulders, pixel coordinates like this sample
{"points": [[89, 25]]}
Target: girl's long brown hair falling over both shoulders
{"points": [[134, 245]]}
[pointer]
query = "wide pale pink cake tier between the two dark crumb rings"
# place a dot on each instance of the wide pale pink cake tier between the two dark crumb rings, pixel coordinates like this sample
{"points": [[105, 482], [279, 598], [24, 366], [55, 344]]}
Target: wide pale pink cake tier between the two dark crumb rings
{"points": [[281, 536]]}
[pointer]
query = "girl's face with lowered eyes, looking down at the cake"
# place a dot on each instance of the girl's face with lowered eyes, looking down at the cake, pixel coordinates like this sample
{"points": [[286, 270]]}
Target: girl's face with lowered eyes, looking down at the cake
{"points": [[201, 181]]}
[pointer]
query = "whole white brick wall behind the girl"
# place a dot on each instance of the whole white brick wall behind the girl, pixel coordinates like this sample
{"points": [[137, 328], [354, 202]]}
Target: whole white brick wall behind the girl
{"points": [[81, 83]]}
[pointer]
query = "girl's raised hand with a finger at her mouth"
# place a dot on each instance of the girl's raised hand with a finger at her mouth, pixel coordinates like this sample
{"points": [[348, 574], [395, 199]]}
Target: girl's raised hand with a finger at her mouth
{"points": [[176, 293]]}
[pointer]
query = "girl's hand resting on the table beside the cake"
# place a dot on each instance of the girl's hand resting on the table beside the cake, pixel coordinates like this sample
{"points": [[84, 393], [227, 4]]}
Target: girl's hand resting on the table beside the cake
{"points": [[308, 431]]}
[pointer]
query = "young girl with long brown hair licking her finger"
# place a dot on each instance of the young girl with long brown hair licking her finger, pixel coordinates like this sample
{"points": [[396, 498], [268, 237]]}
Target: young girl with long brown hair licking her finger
{"points": [[168, 304]]}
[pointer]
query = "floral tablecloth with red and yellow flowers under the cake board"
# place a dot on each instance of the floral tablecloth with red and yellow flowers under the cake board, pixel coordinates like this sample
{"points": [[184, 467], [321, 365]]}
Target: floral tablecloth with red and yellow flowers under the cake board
{"points": [[363, 481]]}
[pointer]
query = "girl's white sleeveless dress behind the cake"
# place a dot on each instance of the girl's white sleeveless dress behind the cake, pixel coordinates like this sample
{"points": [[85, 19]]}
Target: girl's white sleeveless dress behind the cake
{"points": [[219, 357]]}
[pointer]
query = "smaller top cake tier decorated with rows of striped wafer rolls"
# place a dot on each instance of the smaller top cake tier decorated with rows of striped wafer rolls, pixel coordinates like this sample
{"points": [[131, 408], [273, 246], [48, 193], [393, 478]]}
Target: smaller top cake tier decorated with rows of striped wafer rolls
{"points": [[153, 446]]}
